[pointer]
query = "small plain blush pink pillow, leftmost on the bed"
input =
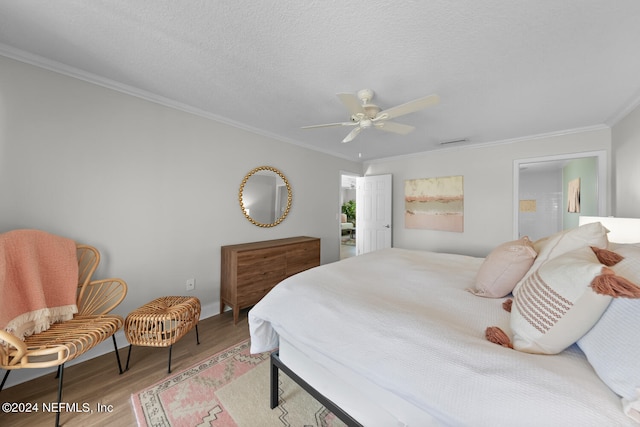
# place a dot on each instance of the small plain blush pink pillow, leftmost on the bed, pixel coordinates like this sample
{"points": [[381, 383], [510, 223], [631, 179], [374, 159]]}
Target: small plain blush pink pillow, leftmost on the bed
{"points": [[505, 266]]}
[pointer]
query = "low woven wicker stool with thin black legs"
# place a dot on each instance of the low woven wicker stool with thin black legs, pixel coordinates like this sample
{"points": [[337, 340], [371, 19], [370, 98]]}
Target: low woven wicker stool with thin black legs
{"points": [[162, 322]]}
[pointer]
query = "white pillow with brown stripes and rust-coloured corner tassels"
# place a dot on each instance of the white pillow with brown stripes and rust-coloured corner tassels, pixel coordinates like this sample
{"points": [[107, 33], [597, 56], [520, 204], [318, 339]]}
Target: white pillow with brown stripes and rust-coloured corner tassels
{"points": [[562, 300]]}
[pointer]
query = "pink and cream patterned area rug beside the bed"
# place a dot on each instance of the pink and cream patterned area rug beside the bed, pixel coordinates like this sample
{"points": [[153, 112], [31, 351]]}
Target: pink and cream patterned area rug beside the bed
{"points": [[229, 389]]}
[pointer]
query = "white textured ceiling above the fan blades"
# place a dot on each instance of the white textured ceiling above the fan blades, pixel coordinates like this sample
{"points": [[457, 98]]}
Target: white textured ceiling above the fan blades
{"points": [[503, 69]]}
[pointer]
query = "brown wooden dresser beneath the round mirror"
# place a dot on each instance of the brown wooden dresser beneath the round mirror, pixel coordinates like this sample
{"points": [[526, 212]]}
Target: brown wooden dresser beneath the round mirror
{"points": [[250, 270]]}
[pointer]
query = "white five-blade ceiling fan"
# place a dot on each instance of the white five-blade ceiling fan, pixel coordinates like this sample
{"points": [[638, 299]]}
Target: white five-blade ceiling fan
{"points": [[365, 115]]}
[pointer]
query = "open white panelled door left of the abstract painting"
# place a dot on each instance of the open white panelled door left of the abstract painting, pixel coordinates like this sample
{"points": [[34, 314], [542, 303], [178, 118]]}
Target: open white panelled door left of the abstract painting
{"points": [[373, 213]]}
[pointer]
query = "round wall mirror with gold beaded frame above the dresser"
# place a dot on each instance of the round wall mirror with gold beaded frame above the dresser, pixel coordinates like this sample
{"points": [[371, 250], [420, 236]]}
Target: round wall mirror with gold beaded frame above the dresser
{"points": [[265, 196]]}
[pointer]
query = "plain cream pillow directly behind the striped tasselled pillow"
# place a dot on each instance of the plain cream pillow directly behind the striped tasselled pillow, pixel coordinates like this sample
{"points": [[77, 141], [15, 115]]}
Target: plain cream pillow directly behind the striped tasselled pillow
{"points": [[592, 234]]}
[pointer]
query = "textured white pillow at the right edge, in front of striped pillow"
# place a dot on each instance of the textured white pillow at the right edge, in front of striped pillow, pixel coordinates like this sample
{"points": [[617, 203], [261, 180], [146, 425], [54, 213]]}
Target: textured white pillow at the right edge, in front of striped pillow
{"points": [[613, 344]]}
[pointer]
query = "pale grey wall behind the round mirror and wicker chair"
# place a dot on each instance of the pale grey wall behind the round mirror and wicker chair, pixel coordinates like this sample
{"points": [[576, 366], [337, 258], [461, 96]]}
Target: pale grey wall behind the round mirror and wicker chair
{"points": [[153, 188]]}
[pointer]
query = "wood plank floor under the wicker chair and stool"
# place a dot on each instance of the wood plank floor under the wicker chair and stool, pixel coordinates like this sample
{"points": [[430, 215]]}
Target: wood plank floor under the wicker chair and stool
{"points": [[96, 381]]}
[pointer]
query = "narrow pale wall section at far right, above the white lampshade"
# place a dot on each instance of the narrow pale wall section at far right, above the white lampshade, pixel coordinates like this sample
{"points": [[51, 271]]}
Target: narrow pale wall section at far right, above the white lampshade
{"points": [[626, 163]]}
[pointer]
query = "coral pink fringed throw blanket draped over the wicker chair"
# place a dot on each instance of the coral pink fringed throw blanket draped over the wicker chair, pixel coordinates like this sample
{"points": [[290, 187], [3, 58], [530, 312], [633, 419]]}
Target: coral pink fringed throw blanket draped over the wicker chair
{"points": [[38, 281]]}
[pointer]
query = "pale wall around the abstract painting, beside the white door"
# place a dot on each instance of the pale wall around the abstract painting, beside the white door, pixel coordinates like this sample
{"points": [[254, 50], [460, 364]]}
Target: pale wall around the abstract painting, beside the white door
{"points": [[488, 187]]}
